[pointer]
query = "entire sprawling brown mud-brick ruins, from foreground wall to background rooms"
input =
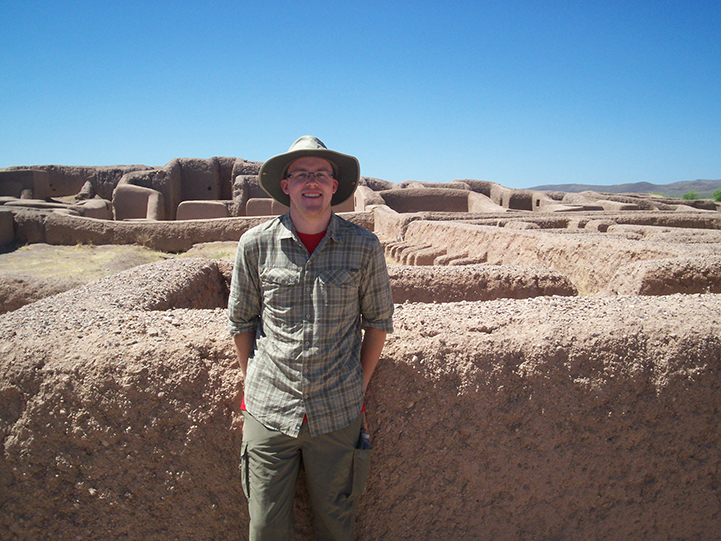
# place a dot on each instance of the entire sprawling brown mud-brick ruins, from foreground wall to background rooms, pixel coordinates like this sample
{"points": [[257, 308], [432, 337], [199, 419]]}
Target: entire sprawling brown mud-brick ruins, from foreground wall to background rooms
{"points": [[555, 370]]}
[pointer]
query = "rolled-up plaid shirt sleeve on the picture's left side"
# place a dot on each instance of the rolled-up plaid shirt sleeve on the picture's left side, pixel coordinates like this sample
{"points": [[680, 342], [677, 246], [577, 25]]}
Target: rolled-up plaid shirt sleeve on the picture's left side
{"points": [[244, 301]]}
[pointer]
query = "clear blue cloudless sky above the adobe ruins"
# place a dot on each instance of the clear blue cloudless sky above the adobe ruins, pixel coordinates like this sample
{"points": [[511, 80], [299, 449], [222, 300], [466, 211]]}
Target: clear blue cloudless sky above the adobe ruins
{"points": [[519, 93]]}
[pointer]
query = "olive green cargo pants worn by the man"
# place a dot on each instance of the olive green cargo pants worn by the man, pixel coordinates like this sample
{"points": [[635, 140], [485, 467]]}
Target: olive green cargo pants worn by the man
{"points": [[336, 470]]}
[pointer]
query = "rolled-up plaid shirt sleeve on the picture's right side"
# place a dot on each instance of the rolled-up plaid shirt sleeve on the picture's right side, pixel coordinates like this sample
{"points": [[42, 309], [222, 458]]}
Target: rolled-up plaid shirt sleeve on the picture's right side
{"points": [[376, 298]]}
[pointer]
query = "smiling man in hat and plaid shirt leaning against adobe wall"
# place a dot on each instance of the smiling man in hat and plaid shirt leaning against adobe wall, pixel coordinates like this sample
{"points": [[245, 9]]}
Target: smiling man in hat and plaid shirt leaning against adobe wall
{"points": [[304, 286]]}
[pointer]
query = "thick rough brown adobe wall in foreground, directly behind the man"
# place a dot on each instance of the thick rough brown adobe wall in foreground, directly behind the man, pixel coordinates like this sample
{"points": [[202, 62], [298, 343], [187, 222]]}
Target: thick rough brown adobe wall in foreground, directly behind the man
{"points": [[547, 418]]}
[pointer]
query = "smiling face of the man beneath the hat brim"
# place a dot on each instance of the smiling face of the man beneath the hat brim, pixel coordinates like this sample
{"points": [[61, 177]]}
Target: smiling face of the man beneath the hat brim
{"points": [[312, 195]]}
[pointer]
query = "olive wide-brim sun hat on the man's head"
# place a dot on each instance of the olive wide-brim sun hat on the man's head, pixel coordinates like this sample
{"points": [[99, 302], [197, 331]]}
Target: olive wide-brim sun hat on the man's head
{"points": [[346, 169]]}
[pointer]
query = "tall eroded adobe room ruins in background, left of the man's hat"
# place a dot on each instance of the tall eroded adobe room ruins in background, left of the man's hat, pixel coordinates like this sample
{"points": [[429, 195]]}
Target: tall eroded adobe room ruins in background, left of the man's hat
{"points": [[183, 189]]}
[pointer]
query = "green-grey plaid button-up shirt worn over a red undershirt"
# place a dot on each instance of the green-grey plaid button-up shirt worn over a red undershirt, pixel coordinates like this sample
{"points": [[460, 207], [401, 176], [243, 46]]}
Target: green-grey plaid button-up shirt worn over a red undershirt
{"points": [[307, 312]]}
